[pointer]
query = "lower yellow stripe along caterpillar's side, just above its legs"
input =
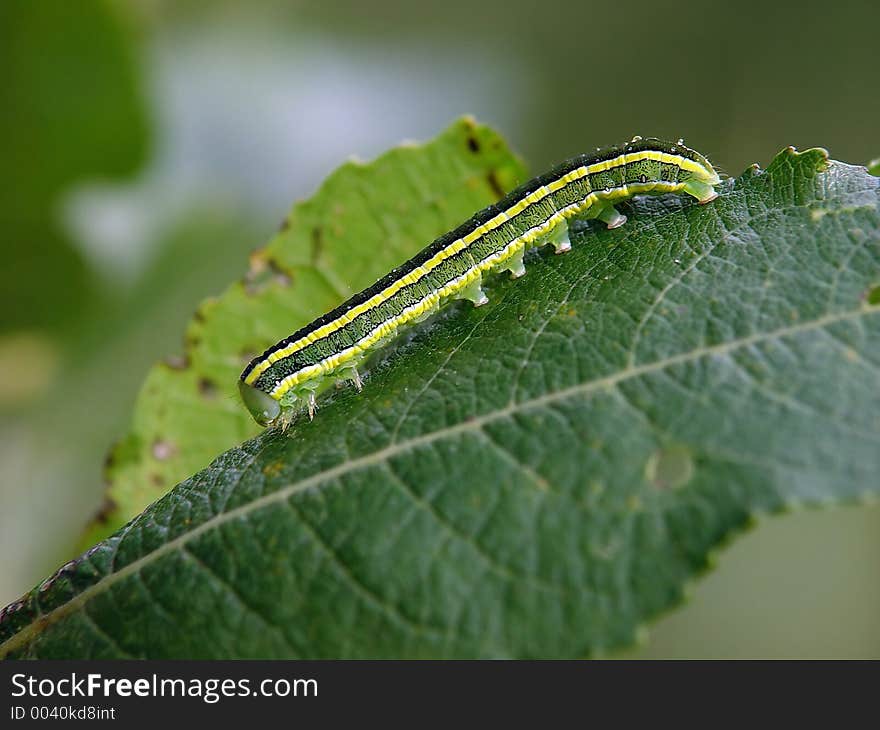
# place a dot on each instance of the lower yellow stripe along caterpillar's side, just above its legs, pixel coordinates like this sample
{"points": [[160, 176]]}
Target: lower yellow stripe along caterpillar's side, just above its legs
{"points": [[332, 362]]}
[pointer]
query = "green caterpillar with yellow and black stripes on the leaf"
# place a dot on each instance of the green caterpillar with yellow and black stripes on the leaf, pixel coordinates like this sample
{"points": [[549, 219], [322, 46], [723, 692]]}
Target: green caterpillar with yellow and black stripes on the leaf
{"points": [[276, 384]]}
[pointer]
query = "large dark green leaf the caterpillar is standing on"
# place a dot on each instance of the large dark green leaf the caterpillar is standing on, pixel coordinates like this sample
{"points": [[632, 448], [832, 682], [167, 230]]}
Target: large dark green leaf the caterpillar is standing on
{"points": [[534, 478]]}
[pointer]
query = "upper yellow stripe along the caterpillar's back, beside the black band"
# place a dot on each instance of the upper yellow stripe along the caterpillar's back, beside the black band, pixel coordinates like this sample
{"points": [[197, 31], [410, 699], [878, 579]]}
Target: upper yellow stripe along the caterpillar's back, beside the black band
{"points": [[462, 243]]}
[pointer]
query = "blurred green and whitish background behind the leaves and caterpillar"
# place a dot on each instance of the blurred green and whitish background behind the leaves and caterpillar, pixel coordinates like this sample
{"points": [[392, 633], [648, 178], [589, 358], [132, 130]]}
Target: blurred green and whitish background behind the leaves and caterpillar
{"points": [[149, 145]]}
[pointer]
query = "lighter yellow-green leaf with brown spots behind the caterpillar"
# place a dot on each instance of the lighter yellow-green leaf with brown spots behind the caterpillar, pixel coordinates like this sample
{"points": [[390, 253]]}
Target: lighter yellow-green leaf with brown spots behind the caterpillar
{"points": [[364, 220]]}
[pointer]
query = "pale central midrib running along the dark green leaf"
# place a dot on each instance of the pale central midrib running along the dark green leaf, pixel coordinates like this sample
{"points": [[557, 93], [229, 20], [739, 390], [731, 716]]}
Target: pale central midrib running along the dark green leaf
{"points": [[399, 447]]}
